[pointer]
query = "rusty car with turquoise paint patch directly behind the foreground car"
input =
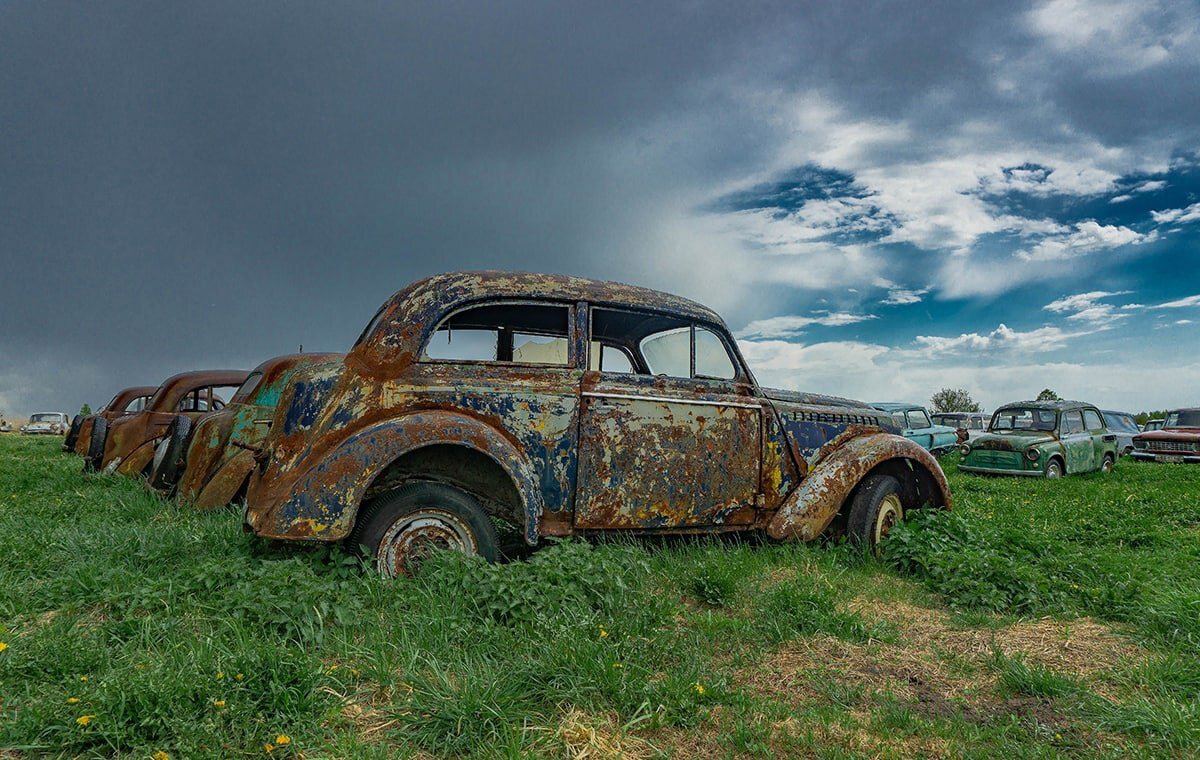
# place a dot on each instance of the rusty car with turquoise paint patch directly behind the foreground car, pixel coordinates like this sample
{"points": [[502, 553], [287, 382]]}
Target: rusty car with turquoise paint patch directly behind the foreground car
{"points": [[207, 465]]}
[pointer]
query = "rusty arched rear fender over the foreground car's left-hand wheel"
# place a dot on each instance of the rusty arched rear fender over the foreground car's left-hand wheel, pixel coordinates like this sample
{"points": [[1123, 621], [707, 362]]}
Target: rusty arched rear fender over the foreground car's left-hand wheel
{"points": [[322, 504]]}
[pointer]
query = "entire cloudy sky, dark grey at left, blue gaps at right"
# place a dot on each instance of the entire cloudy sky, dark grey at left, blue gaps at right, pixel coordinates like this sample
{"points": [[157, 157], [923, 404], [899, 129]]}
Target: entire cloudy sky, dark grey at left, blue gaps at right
{"points": [[883, 199]]}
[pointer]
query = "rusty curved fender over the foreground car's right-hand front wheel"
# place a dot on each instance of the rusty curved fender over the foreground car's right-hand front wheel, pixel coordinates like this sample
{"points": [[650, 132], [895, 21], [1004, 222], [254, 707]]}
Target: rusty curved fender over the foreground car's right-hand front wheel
{"points": [[841, 466]]}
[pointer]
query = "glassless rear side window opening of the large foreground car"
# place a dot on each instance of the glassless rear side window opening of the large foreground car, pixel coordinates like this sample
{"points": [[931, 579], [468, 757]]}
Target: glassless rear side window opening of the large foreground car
{"points": [[517, 333]]}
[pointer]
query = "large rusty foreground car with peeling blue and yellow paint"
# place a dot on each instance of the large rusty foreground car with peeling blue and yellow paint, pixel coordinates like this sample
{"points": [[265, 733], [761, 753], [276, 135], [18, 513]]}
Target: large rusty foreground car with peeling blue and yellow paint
{"points": [[566, 406]]}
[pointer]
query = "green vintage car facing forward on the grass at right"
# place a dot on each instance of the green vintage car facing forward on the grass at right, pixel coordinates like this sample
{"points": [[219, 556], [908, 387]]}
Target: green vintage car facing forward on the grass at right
{"points": [[1042, 440]]}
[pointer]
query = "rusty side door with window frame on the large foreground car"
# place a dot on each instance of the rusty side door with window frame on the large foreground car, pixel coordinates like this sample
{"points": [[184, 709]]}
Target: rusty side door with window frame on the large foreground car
{"points": [[673, 438]]}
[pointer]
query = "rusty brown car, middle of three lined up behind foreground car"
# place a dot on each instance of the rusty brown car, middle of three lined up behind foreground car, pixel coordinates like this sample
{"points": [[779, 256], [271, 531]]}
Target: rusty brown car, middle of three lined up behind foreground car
{"points": [[128, 444]]}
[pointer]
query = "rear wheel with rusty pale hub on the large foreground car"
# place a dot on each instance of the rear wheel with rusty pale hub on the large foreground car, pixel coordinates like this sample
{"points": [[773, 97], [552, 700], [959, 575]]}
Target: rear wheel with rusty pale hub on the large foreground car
{"points": [[399, 529]]}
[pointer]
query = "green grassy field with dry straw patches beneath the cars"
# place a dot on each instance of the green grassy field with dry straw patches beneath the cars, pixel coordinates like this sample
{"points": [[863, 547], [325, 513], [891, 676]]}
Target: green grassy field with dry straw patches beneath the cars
{"points": [[1040, 619]]}
